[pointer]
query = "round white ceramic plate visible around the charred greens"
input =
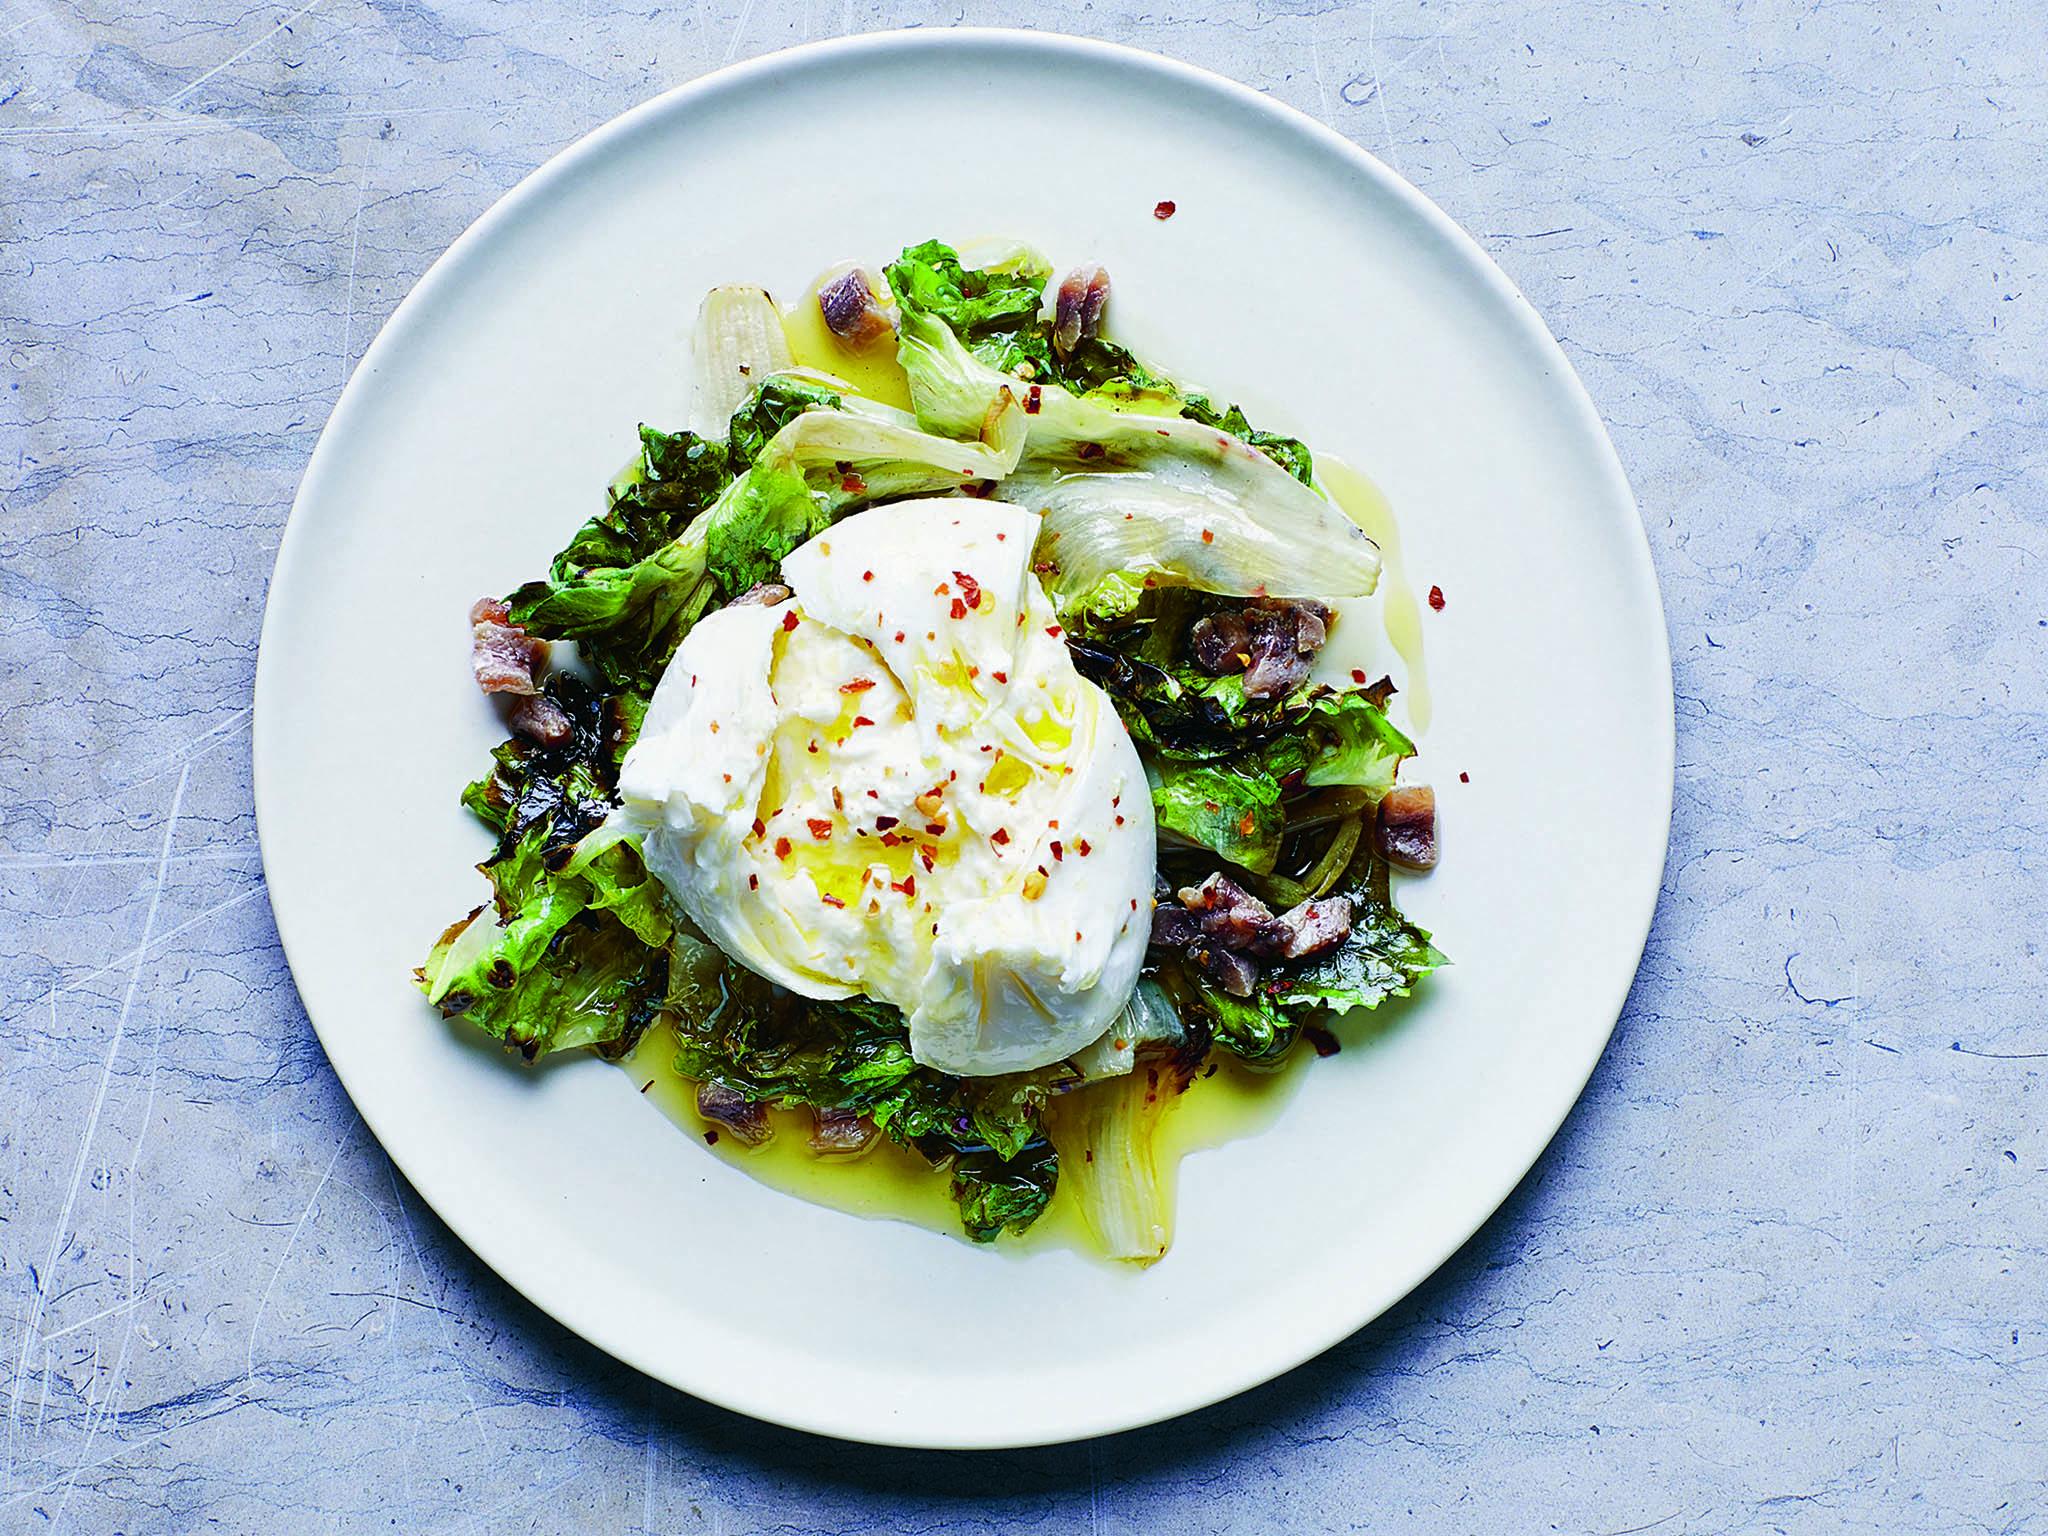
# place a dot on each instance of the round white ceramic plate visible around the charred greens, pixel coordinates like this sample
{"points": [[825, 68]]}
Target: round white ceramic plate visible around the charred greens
{"points": [[1299, 278]]}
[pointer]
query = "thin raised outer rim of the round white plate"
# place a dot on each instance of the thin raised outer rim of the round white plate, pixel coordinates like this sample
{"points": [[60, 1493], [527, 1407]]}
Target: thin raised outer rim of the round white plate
{"points": [[1340, 1320]]}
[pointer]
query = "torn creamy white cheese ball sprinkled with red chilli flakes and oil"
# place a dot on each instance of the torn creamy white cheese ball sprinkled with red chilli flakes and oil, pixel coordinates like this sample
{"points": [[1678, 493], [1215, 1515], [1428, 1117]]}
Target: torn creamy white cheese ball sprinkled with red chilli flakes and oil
{"points": [[898, 785]]}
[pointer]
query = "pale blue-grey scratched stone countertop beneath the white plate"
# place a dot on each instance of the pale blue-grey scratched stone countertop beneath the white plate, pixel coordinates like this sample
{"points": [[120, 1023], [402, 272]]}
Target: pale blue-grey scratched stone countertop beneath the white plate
{"points": [[1787, 1267]]}
